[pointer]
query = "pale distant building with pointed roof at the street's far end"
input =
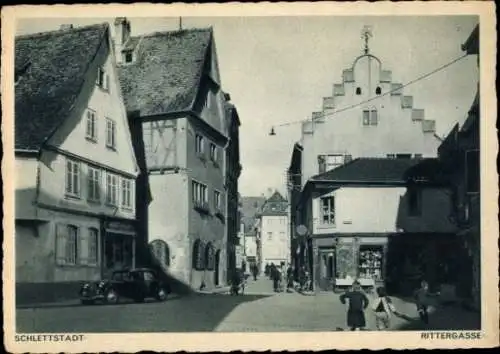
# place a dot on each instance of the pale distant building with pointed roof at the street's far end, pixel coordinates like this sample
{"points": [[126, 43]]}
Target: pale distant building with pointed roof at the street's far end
{"points": [[273, 230]]}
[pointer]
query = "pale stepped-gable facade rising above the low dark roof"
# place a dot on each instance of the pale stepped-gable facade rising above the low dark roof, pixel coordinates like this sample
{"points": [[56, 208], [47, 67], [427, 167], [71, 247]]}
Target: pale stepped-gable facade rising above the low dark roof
{"points": [[392, 125]]}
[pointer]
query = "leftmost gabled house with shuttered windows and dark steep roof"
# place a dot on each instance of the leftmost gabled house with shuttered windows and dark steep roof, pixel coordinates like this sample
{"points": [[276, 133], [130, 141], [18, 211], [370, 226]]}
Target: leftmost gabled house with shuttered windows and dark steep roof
{"points": [[75, 164]]}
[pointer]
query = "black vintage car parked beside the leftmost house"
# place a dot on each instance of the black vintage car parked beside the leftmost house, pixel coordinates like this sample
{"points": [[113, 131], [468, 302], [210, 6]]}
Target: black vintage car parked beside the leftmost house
{"points": [[136, 284]]}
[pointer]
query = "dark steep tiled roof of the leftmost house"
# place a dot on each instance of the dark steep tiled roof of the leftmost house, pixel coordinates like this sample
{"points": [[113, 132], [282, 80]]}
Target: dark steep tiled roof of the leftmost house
{"points": [[50, 71]]}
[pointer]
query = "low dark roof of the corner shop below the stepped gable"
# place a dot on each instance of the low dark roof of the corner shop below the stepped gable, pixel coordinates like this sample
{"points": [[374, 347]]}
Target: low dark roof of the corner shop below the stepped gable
{"points": [[370, 170]]}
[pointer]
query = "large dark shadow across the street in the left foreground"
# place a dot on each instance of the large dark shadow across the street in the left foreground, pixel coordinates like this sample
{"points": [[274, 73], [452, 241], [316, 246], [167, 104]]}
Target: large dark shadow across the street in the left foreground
{"points": [[192, 313]]}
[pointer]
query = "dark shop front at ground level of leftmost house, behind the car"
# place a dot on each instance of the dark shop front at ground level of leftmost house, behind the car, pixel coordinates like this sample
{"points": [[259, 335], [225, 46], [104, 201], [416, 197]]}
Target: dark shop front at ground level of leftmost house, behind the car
{"points": [[119, 245]]}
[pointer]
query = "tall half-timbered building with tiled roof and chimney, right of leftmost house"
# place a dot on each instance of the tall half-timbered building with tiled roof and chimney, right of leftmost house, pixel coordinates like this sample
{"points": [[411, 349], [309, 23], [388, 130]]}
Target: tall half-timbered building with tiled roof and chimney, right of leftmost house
{"points": [[185, 133]]}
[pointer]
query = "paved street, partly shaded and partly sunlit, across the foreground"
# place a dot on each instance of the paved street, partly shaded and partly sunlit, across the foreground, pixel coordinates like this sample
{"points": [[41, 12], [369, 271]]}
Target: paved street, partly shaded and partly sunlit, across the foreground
{"points": [[223, 313]]}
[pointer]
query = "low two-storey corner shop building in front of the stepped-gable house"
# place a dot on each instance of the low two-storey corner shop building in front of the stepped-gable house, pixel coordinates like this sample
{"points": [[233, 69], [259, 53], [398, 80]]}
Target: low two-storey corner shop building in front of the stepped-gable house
{"points": [[353, 237]]}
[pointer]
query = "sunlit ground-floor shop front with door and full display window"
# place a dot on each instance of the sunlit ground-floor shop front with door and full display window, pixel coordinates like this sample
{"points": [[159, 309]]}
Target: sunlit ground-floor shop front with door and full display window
{"points": [[340, 259]]}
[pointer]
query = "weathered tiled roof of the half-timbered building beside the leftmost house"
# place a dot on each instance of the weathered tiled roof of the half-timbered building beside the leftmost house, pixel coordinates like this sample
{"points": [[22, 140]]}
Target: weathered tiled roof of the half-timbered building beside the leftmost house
{"points": [[167, 71]]}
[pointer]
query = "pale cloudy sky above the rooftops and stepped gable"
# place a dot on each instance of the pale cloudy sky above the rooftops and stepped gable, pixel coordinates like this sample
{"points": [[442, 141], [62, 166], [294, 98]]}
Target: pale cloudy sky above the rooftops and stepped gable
{"points": [[278, 69]]}
